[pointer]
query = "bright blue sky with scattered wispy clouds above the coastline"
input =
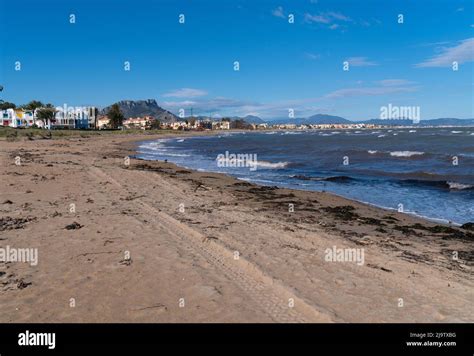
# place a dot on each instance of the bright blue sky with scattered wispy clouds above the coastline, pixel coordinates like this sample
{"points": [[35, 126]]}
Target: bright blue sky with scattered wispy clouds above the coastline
{"points": [[283, 65]]}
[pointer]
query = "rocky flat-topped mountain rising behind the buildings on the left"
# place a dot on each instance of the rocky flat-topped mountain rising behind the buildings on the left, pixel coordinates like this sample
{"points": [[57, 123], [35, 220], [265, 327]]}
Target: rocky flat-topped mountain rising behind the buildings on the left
{"points": [[140, 108]]}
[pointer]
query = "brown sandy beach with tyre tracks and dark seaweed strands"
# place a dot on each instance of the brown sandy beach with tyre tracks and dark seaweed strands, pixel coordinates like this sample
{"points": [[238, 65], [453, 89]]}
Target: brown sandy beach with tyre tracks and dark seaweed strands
{"points": [[123, 240]]}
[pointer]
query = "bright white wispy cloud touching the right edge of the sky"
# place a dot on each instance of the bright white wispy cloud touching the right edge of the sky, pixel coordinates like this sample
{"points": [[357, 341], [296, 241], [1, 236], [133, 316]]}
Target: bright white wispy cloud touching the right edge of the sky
{"points": [[461, 53]]}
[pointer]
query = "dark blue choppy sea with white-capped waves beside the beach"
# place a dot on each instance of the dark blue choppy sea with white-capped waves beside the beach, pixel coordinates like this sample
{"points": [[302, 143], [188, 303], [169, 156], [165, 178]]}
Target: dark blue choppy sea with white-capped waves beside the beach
{"points": [[427, 172]]}
